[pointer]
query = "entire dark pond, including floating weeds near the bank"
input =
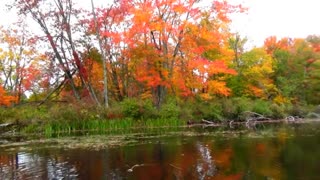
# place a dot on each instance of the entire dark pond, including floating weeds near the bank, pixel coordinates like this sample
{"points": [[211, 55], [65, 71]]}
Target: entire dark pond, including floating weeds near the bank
{"points": [[284, 152]]}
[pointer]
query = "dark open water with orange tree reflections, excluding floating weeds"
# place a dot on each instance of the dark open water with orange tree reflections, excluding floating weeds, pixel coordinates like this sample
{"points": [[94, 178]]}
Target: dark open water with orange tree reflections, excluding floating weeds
{"points": [[176, 158]]}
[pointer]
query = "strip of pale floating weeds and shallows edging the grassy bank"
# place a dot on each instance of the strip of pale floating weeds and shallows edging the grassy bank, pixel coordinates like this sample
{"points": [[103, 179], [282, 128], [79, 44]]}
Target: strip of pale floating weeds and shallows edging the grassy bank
{"points": [[96, 140]]}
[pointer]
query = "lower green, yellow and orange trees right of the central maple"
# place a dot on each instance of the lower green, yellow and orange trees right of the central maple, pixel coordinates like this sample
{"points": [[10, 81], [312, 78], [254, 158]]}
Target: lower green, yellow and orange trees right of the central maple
{"points": [[282, 71]]}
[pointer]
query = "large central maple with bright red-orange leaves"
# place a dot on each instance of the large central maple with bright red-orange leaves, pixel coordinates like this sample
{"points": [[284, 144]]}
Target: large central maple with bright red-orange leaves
{"points": [[171, 45]]}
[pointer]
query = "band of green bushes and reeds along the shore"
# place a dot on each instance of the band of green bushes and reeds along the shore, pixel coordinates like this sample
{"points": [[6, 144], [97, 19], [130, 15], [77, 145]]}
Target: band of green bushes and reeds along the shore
{"points": [[130, 114]]}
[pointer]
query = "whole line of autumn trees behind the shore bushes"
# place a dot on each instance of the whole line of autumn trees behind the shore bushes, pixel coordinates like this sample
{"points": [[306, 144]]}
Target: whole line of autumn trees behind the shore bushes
{"points": [[152, 55]]}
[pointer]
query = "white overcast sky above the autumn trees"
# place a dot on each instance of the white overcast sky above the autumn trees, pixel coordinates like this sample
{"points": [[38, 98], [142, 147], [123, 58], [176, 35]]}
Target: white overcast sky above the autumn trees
{"points": [[281, 18]]}
